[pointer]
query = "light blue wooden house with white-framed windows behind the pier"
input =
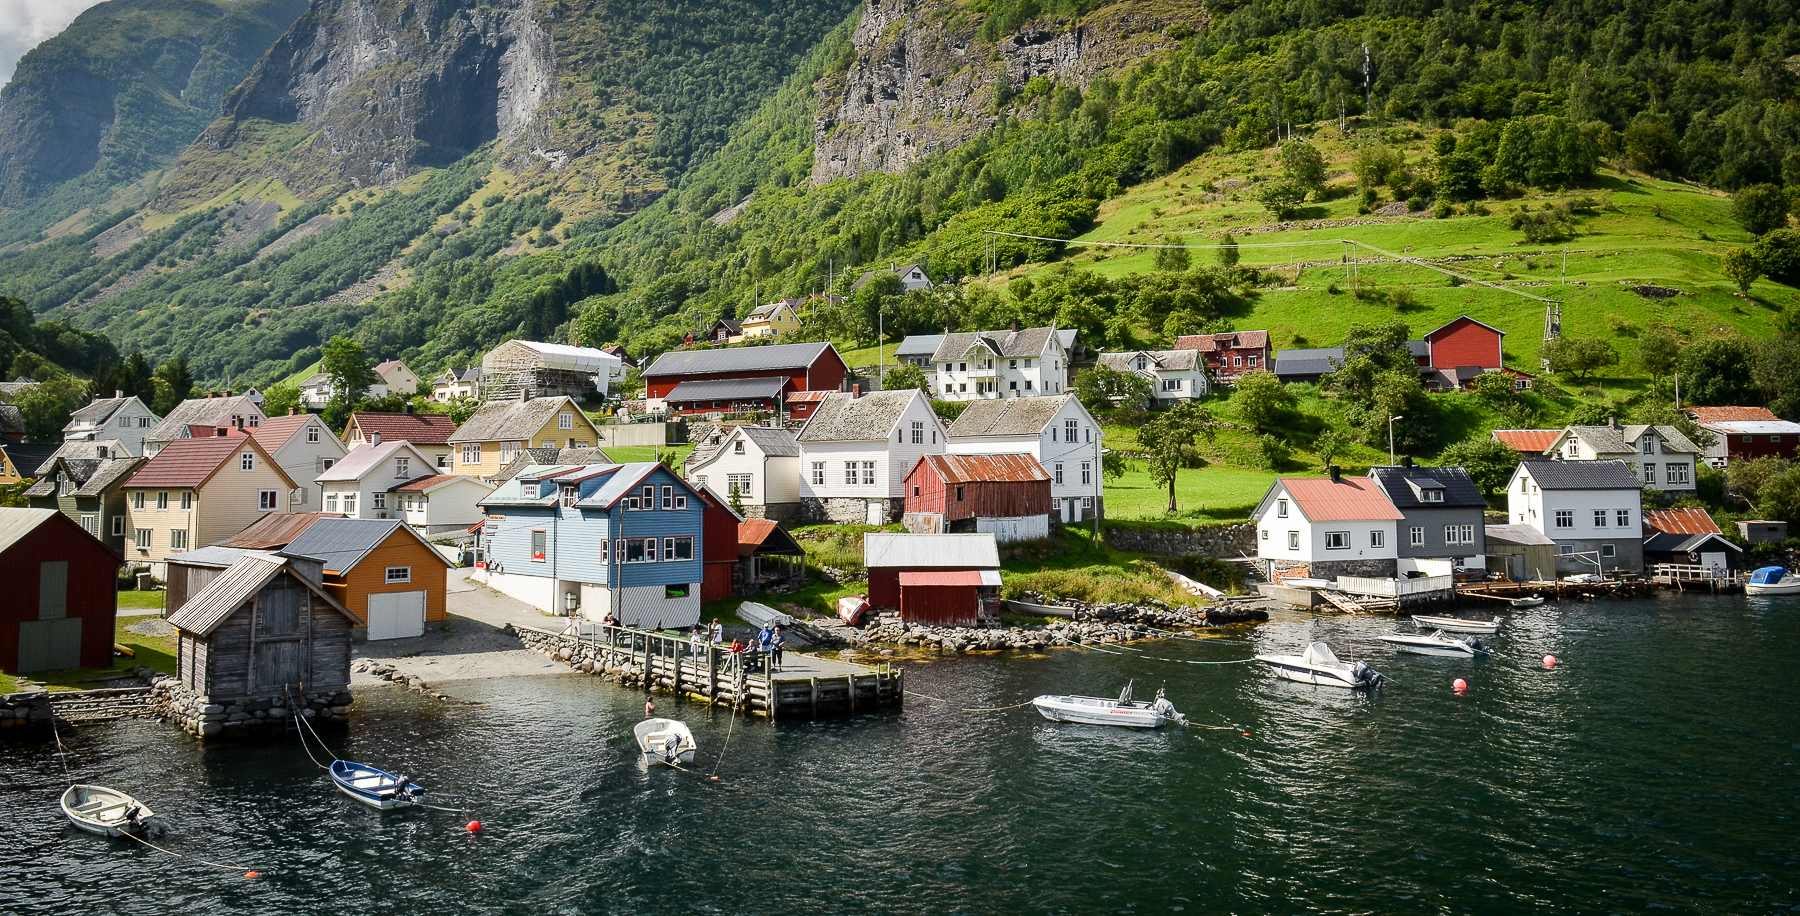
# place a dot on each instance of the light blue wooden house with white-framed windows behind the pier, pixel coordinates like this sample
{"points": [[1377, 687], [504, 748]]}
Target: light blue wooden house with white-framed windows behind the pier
{"points": [[595, 541]]}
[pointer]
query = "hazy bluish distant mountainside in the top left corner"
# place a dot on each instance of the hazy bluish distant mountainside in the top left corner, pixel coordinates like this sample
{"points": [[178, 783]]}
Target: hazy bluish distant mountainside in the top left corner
{"points": [[118, 96]]}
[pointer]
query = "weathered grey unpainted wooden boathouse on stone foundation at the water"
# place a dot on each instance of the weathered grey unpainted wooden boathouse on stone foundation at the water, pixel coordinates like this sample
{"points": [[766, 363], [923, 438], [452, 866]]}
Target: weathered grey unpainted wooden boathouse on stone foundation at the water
{"points": [[260, 629]]}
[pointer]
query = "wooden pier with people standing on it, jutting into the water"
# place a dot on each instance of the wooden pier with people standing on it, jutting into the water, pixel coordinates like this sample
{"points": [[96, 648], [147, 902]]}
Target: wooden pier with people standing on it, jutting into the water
{"points": [[805, 687]]}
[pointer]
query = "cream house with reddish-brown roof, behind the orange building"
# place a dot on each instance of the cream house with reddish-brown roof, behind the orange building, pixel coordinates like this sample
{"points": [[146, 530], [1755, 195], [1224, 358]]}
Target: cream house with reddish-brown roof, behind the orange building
{"points": [[199, 492]]}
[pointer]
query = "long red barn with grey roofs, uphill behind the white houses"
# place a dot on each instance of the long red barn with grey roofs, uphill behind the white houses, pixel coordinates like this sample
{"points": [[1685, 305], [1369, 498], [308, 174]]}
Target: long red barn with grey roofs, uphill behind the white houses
{"points": [[755, 379]]}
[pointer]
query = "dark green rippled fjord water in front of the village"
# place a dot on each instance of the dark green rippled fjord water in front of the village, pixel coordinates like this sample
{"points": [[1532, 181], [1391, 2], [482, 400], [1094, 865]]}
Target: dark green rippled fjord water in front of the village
{"points": [[1655, 769]]}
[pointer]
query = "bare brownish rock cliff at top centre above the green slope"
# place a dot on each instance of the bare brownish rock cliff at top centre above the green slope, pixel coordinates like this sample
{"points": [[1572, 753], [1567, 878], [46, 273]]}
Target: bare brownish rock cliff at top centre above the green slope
{"points": [[924, 82]]}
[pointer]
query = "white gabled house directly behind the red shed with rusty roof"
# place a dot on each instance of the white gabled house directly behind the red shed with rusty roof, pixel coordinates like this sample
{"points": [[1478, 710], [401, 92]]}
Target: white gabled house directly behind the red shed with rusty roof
{"points": [[1059, 433]]}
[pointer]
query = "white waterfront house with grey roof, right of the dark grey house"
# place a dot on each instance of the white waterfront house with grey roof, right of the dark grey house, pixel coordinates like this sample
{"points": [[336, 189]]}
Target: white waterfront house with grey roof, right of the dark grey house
{"points": [[1588, 508]]}
